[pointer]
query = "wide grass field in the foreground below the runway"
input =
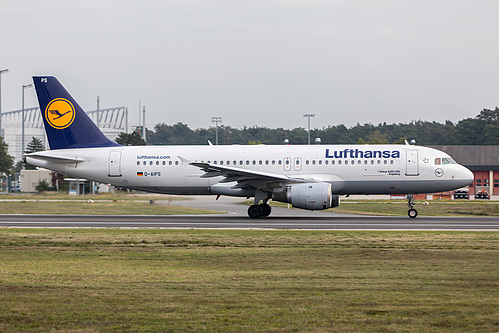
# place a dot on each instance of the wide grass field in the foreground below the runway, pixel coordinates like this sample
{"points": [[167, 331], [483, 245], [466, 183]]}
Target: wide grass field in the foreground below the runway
{"points": [[112, 280]]}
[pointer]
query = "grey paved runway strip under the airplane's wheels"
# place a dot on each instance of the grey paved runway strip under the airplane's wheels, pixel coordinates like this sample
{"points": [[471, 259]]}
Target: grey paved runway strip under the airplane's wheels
{"points": [[229, 221]]}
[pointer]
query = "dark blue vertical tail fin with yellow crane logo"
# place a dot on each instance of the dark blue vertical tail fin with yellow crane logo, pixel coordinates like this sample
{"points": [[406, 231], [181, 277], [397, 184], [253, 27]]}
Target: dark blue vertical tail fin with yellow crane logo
{"points": [[66, 124]]}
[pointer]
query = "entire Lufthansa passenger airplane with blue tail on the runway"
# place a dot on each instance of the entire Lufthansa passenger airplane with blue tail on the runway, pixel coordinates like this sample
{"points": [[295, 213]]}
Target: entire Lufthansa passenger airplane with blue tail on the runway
{"points": [[309, 177]]}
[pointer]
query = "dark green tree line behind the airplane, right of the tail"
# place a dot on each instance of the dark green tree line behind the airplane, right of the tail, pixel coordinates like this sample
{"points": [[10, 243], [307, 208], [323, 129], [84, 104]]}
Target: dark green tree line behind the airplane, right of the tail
{"points": [[480, 130]]}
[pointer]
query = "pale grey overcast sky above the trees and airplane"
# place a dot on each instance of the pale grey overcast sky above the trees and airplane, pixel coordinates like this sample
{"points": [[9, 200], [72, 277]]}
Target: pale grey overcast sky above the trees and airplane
{"points": [[259, 63]]}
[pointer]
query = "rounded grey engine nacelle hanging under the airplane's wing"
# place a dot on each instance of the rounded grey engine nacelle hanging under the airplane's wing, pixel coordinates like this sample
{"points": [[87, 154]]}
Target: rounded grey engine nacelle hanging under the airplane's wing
{"points": [[311, 196]]}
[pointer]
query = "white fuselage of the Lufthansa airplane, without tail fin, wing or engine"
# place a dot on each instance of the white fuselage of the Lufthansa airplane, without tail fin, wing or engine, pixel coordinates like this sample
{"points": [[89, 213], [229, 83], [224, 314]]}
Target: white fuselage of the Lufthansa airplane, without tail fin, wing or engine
{"points": [[351, 169]]}
